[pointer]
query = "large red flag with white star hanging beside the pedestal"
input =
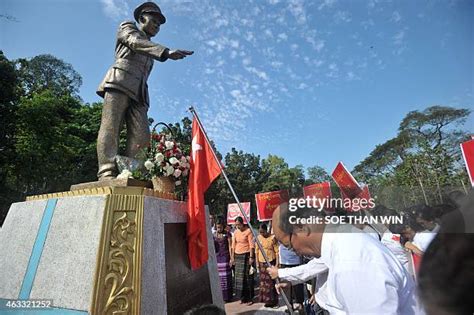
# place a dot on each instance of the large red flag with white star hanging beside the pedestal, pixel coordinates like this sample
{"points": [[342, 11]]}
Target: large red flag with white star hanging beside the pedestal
{"points": [[204, 169]]}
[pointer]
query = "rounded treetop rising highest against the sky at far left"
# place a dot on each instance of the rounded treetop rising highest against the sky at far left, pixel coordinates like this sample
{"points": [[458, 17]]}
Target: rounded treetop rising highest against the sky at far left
{"points": [[46, 72]]}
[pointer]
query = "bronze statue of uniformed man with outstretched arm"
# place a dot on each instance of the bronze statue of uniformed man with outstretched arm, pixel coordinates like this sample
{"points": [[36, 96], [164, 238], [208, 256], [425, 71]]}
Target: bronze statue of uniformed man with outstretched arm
{"points": [[125, 89]]}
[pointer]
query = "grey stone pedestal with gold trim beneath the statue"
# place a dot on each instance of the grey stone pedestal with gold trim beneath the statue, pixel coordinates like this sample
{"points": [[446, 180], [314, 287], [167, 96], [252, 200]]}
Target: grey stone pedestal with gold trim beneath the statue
{"points": [[103, 251]]}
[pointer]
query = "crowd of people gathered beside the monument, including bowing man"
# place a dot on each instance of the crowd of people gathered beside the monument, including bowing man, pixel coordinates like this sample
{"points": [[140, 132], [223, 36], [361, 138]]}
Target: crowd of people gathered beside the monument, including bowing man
{"points": [[424, 265]]}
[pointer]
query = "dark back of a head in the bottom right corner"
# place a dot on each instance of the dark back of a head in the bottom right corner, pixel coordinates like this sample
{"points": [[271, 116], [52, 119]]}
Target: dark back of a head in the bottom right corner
{"points": [[446, 278]]}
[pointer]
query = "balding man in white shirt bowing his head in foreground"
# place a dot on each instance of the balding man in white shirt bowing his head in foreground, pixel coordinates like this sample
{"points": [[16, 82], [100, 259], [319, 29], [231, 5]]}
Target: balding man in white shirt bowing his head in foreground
{"points": [[364, 277]]}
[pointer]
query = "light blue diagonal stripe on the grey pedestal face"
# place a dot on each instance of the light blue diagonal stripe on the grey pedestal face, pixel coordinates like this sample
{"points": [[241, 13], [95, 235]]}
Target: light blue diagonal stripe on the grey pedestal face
{"points": [[38, 246]]}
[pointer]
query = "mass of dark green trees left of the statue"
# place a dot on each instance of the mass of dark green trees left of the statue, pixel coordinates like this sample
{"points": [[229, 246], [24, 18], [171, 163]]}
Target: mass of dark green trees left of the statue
{"points": [[48, 136]]}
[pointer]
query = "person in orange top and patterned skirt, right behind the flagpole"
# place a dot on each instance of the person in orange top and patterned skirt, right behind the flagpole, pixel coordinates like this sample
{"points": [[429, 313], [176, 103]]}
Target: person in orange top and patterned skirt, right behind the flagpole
{"points": [[267, 294]]}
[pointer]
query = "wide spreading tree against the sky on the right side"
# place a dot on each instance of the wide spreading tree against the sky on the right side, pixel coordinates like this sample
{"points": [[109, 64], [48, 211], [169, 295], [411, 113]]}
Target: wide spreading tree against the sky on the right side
{"points": [[422, 163]]}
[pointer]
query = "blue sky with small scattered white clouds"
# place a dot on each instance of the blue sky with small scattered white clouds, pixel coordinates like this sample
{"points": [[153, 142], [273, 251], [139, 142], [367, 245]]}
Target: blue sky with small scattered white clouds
{"points": [[315, 82]]}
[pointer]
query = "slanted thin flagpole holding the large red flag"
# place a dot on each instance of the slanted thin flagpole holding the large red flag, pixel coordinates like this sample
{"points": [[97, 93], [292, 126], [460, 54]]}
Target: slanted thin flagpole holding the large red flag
{"points": [[193, 111]]}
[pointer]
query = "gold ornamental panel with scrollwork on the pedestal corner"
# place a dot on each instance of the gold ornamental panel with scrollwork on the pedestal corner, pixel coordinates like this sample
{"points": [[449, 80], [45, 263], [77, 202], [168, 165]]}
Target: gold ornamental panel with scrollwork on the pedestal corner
{"points": [[118, 276]]}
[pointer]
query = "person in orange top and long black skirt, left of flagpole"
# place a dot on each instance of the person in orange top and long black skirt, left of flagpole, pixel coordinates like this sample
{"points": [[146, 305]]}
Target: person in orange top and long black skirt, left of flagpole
{"points": [[243, 256]]}
